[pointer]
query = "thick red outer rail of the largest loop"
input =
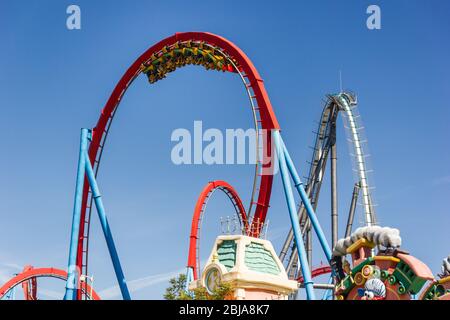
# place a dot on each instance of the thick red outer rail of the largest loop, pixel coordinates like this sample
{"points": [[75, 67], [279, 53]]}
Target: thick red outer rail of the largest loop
{"points": [[268, 121]]}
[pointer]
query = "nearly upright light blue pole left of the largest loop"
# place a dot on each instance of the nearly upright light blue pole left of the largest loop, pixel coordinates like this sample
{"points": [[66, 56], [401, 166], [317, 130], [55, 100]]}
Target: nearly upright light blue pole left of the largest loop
{"points": [[72, 272]]}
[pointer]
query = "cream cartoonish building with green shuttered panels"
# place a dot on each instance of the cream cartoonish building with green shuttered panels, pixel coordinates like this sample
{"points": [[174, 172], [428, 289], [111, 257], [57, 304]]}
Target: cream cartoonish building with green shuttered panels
{"points": [[250, 265]]}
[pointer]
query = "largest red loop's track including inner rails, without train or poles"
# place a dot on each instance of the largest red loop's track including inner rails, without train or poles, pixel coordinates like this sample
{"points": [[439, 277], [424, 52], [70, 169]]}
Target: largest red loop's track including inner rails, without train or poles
{"points": [[261, 106]]}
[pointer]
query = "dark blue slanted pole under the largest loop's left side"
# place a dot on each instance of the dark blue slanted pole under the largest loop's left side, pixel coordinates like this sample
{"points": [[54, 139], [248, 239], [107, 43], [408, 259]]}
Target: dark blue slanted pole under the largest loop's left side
{"points": [[107, 231]]}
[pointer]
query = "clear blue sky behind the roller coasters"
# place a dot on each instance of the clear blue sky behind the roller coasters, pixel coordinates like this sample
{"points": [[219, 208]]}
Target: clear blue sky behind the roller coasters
{"points": [[54, 81]]}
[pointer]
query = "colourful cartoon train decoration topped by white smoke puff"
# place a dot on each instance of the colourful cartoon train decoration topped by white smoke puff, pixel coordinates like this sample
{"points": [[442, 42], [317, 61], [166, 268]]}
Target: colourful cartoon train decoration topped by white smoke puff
{"points": [[390, 274]]}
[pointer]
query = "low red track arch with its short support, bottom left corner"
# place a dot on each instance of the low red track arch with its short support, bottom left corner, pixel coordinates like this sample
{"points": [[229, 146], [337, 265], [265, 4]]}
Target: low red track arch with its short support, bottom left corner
{"points": [[31, 273]]}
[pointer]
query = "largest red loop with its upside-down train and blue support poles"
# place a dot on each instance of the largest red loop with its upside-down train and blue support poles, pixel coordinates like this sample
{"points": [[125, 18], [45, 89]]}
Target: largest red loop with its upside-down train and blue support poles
{"points": [[212, 52]]}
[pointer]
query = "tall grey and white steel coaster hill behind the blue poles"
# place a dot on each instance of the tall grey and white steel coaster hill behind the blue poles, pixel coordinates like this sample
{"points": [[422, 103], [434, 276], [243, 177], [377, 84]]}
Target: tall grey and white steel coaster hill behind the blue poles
{"points": [[324, 147]]}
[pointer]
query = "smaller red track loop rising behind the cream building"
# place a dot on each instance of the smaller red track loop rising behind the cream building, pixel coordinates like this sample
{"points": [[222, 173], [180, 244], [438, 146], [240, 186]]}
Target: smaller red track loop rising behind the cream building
{"points": [[193, 261]]}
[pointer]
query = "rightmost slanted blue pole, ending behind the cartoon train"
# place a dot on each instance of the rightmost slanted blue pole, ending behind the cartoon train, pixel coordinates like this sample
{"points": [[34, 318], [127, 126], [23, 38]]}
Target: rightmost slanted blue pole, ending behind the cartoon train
{"points": [[307, 203]]}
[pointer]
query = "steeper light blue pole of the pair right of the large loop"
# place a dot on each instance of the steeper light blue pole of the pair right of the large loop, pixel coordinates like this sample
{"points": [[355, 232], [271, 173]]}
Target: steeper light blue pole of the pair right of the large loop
{"points": [[294, 219]]}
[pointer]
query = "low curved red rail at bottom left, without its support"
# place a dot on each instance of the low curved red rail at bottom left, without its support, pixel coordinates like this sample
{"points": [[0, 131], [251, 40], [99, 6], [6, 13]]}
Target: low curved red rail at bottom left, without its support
{"points": [[31, 273]]}
